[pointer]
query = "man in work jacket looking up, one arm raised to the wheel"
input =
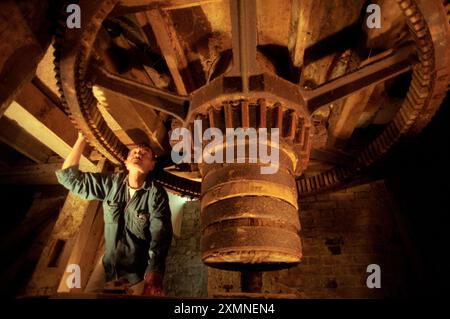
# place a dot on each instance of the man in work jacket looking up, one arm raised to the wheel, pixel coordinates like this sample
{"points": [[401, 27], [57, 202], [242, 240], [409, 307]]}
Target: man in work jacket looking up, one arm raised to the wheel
{"points": [[138, 228]]}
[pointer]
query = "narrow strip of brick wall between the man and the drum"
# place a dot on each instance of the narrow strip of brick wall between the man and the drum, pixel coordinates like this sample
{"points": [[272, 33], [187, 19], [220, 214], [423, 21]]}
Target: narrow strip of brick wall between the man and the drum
{"points": [[186, 275]]}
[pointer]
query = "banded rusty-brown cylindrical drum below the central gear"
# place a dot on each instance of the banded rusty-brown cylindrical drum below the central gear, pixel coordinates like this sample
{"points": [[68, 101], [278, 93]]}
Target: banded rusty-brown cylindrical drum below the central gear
{"points": [[250, 220]]}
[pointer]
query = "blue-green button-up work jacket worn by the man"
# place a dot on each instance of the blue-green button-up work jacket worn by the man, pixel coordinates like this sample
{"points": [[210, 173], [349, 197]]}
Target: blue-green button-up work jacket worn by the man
{"points": [[138, 230]]}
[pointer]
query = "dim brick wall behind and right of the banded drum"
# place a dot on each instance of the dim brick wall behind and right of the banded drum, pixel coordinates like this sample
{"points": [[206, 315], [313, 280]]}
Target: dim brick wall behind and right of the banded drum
{"points": [[343, 232]]}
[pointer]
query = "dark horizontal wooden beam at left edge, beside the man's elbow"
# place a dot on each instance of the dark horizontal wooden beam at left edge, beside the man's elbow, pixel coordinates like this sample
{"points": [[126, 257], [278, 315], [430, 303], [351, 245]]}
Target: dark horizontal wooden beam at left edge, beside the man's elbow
{"points": [[39, 174]]}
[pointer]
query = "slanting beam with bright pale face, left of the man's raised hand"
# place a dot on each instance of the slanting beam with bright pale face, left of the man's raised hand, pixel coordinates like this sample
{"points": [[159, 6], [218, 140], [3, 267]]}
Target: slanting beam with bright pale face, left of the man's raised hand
{"points": [[36, 114]]}
